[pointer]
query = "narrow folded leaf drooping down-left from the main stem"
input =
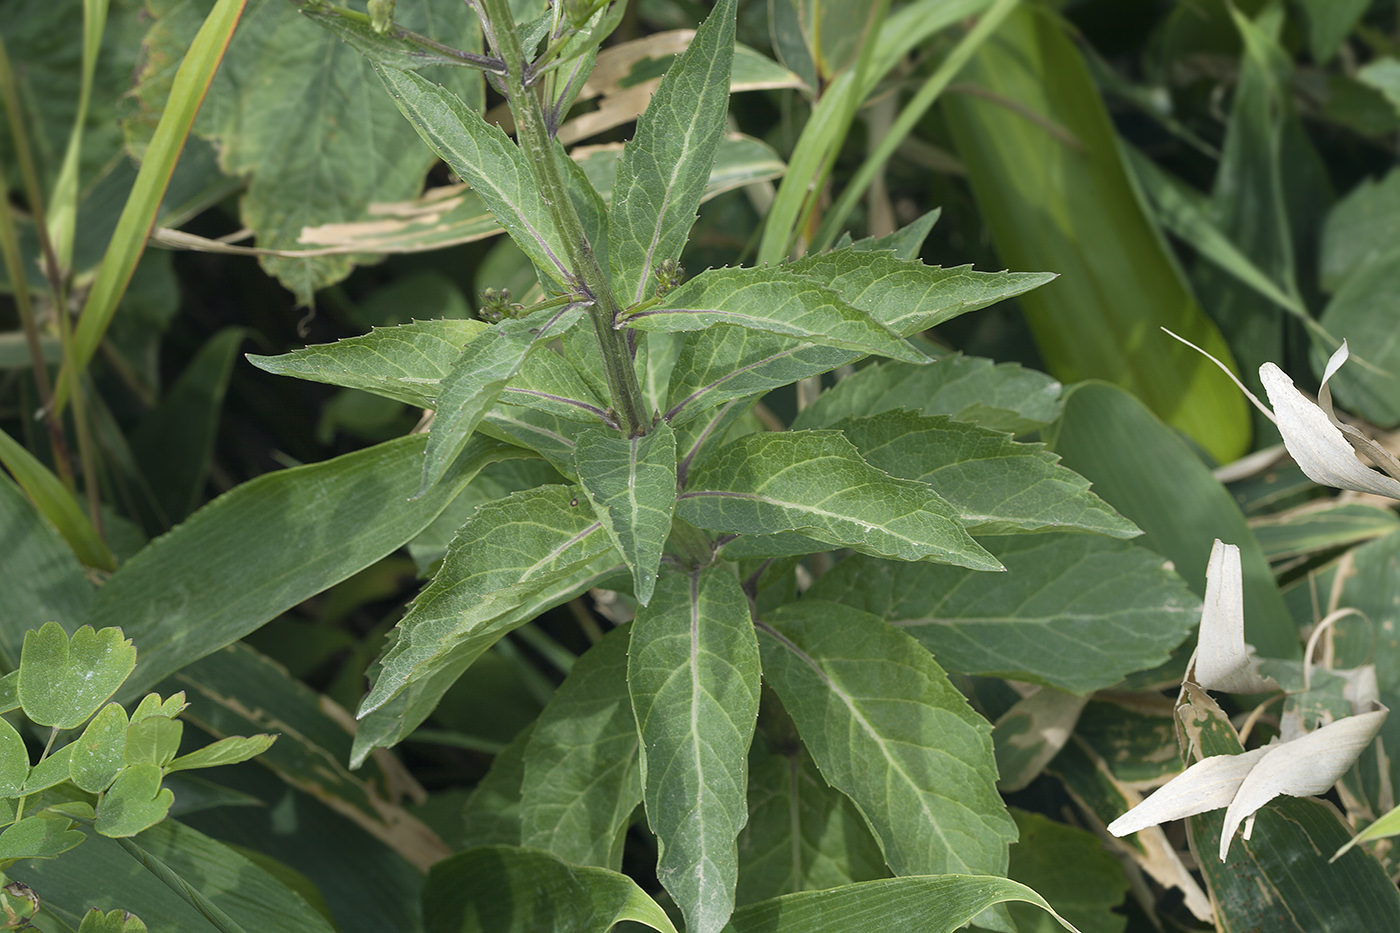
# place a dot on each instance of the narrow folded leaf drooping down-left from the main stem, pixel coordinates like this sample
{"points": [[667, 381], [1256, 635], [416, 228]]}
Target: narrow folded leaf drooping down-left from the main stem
{"points": [[478, 379]]}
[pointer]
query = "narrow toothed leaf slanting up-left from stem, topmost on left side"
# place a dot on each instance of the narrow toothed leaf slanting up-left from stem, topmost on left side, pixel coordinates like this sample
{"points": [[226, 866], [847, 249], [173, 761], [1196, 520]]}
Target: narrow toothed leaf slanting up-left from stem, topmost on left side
{"points": [[488, 160]]}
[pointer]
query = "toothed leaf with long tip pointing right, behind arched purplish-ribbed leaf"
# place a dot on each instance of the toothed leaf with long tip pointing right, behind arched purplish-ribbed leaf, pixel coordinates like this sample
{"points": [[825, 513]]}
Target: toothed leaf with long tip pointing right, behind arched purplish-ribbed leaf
{"points": [[906, 296]]}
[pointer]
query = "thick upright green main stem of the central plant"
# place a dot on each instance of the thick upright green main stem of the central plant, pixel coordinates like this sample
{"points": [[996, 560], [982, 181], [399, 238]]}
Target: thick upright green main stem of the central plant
{"points": [[540, 149]]}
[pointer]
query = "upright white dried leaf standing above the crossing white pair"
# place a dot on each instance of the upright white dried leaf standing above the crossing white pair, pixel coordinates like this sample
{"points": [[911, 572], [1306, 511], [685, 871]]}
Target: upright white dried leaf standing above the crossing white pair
{"points": [[1223, 661]]}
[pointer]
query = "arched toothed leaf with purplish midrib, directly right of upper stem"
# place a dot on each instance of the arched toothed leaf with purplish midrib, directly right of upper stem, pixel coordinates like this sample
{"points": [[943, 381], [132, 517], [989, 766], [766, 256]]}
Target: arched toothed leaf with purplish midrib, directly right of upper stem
{"points": [[775, 302]]}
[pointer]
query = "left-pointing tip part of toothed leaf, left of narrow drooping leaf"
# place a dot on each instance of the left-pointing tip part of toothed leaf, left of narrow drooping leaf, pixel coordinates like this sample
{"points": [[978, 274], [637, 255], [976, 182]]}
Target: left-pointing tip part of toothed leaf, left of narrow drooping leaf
{"points": [[404, 362]]}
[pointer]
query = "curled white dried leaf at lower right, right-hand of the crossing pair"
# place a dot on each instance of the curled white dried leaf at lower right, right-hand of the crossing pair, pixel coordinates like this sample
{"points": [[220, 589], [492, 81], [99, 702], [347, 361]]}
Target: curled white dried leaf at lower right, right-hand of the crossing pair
{"points": [[1305, 767]]}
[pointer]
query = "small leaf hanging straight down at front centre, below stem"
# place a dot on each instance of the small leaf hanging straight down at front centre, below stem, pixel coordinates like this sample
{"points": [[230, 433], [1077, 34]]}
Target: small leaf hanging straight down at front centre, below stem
{"points": [[632, 485]]}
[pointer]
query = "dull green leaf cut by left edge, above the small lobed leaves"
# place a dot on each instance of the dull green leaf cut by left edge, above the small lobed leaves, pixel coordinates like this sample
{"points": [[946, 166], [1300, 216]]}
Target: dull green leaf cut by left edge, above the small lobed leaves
{"points": [[41, 579]]}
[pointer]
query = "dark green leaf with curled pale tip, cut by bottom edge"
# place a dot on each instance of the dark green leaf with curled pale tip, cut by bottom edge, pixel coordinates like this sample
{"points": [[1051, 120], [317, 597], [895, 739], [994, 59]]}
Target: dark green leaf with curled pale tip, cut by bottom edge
{"points": [[512, 890]]}
